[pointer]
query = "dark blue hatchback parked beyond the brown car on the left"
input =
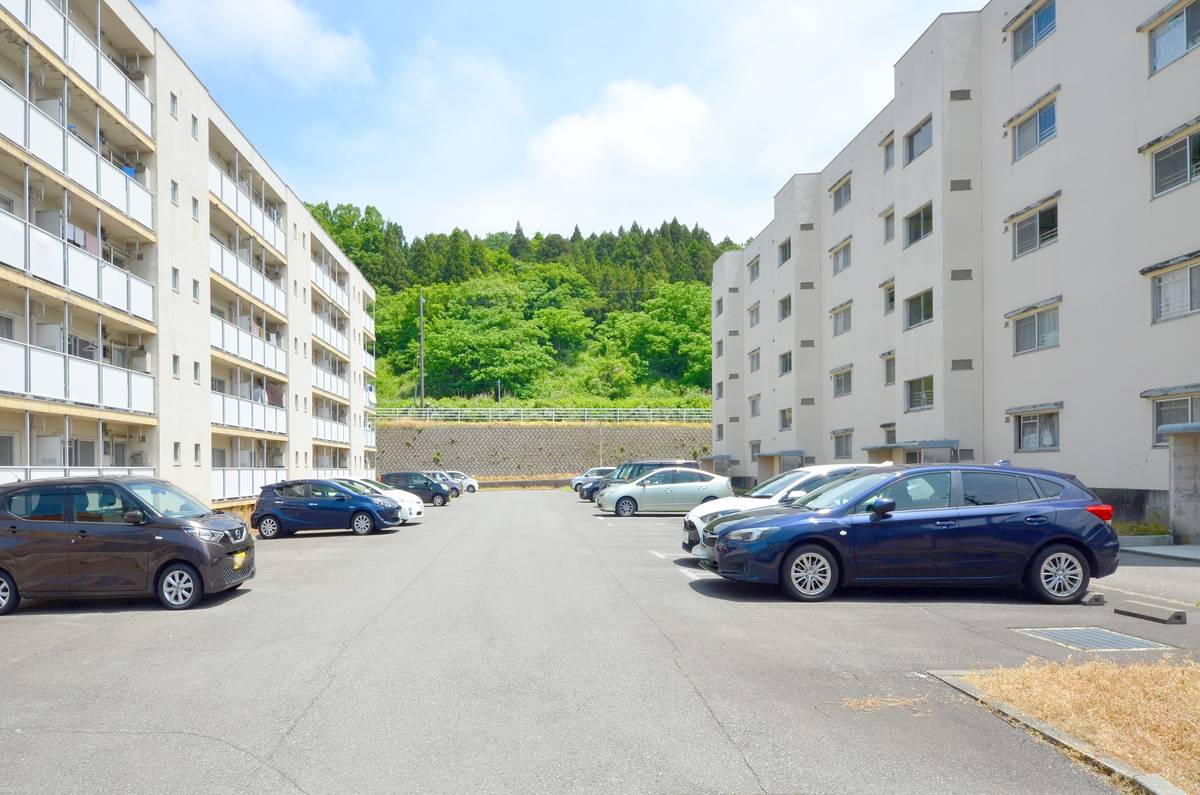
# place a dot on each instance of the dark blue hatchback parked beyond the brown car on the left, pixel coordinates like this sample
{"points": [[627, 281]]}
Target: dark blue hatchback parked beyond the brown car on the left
{"points": [[284, 509]]}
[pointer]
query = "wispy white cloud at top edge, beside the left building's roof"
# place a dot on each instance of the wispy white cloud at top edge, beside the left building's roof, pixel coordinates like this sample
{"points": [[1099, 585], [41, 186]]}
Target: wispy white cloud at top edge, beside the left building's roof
{"points": [[280, 37]]}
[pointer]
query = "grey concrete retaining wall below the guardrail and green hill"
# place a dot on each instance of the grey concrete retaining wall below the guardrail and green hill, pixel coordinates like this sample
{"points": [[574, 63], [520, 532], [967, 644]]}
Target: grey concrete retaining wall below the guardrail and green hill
{"points": [[491, 450]]}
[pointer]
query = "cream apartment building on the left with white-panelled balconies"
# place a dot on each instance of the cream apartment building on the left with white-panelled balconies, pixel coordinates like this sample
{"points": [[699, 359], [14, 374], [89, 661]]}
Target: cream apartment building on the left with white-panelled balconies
{"points": [[167, 304]]}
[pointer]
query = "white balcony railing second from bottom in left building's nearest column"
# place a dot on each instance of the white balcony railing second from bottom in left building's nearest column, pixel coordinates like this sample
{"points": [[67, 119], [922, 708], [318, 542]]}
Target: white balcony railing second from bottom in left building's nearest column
{"points": [[38, 373]]}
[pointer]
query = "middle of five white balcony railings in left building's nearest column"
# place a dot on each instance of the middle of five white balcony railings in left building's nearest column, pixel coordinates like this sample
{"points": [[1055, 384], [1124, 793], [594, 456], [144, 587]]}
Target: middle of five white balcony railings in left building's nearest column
{"points": [[52, 259]]}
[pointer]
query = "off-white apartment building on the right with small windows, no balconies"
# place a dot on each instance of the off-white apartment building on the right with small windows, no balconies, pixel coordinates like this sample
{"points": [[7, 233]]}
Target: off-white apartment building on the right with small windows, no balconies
{"points": [[1005, 264]]}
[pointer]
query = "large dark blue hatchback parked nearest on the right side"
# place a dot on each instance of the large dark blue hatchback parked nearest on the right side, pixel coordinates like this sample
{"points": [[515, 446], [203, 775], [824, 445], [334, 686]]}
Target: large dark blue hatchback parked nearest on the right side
{"points": [[926, 525]]}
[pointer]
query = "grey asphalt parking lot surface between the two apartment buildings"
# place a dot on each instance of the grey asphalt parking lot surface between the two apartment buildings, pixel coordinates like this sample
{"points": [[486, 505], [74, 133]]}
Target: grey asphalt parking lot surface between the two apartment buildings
{"points": [[521, 641]]}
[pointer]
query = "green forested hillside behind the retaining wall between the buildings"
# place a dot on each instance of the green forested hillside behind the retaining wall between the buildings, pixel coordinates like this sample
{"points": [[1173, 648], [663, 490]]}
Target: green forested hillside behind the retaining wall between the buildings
{"points": [[619, 319]]}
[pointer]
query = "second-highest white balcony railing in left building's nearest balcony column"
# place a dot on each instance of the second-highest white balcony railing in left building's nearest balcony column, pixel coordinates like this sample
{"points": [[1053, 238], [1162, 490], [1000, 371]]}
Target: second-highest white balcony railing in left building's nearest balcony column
{"points": [[69, 154]]}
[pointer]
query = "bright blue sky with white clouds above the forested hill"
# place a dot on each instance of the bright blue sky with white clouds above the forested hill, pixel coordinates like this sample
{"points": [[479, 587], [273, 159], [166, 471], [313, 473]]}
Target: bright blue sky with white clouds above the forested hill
{"points": [[479, 115]]}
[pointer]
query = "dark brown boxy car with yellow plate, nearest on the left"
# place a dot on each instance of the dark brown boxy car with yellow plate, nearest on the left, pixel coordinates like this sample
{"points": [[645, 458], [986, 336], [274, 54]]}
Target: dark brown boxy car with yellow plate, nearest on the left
{"points": [[104, 537]]}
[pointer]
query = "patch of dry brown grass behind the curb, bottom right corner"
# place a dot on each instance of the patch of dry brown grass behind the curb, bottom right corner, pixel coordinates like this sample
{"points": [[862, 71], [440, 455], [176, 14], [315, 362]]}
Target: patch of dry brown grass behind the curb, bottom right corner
{"points": [[1147, 715]]}
